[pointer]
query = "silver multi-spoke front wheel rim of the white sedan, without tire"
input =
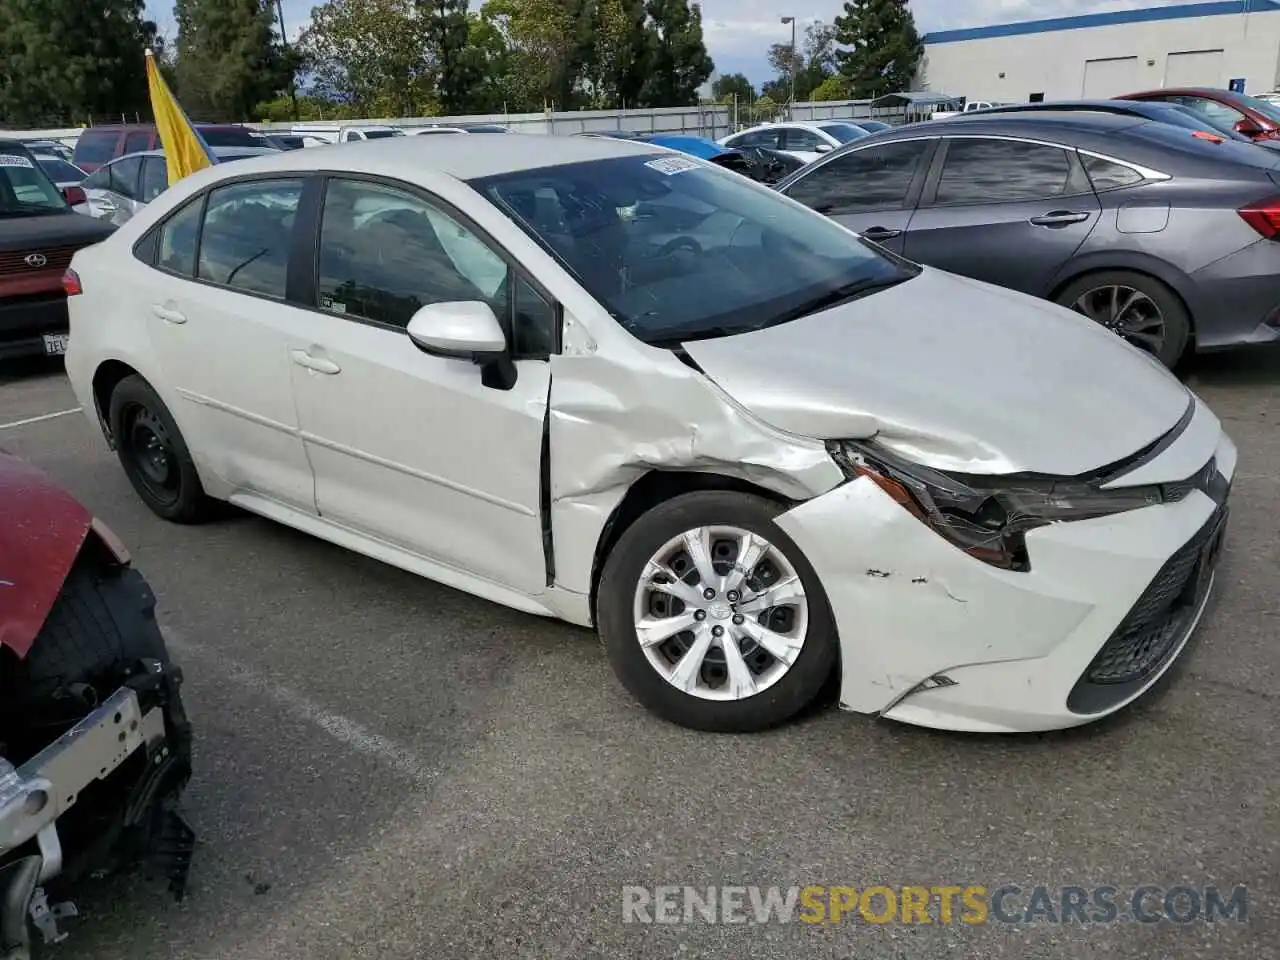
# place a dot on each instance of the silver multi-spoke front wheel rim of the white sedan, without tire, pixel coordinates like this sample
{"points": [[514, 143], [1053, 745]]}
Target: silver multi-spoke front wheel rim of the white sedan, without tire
{"points": [[721, 614]]}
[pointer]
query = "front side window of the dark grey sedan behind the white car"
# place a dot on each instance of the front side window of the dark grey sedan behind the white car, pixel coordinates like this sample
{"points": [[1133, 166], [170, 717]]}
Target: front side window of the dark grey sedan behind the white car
{"points": [[876, 179]]}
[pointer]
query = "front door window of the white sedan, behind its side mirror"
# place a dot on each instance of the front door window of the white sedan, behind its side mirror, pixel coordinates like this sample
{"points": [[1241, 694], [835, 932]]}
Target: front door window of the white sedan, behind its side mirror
{"points": [[386, 253]]}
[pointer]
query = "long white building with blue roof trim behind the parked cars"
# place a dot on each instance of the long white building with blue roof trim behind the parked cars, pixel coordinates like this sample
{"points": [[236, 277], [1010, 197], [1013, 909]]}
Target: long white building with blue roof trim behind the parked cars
{"points": [[1108, 54]]}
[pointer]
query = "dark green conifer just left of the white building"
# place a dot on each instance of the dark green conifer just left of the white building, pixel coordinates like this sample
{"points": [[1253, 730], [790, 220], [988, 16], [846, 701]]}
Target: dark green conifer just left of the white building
{"points": [[884, 47]]}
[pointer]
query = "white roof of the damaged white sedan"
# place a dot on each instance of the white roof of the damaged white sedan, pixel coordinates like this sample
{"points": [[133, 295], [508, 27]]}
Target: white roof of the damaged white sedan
{"points": [[461, 158]]}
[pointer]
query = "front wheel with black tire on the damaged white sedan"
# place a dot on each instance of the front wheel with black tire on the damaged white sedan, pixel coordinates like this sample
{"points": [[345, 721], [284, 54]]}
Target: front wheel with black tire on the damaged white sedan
{"points": [[712, 618]]}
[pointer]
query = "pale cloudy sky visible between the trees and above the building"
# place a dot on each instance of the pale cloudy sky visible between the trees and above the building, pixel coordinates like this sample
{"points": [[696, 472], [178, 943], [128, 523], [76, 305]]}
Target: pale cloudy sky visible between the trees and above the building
{"points": [[739, 33]]}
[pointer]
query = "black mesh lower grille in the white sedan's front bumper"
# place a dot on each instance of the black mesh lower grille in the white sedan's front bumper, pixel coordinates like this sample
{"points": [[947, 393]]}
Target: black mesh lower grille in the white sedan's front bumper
{"points": [[1156, 624]]}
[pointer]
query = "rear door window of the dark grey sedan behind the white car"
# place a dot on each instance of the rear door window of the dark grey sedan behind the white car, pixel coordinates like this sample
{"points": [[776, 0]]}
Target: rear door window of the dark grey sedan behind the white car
{"points": [[1003, 171]]}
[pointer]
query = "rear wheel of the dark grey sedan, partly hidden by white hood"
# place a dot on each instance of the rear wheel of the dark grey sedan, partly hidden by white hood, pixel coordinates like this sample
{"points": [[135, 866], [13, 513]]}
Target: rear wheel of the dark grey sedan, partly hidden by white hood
{"points": [[1135, 307]]}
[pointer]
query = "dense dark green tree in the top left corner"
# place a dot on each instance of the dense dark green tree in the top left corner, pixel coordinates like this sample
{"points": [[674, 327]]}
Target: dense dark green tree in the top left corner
{"points": [[66, 61]]}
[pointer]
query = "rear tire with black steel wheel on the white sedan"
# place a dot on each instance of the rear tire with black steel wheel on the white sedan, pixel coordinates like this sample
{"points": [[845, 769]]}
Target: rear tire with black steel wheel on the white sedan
{"points": [[156, 456]]}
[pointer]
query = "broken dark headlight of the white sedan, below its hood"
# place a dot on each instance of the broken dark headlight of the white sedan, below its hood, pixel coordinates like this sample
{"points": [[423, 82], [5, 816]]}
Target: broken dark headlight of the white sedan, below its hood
{"points": [[986, 516]]}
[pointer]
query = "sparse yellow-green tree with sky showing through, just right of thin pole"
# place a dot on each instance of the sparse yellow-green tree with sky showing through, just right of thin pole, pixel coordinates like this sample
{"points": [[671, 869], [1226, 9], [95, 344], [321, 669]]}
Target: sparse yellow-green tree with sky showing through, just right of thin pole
{"points": [[372, 56]]}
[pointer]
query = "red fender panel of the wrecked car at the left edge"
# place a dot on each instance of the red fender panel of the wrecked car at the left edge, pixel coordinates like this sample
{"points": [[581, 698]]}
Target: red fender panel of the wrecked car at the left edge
{"points": [[43, 529]]}
